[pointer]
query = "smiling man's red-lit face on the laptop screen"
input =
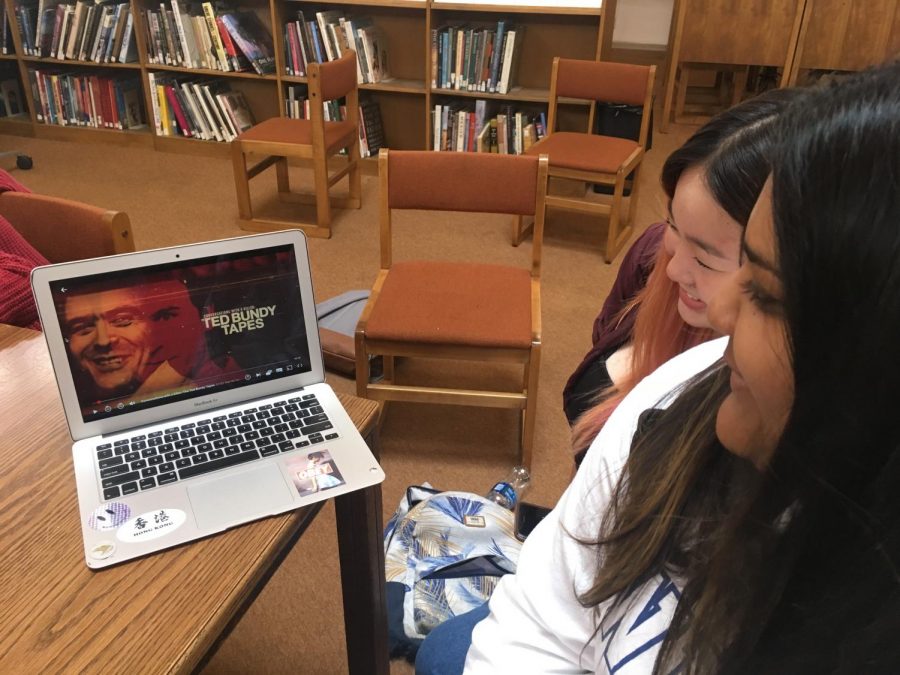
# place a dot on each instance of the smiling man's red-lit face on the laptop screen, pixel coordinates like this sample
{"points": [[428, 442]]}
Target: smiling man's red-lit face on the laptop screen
{"points": [[109, 337]]}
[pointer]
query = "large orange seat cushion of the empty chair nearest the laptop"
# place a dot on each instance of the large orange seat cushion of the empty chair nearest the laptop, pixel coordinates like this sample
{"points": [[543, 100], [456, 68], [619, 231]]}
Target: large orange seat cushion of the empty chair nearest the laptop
{"points": [[454, 303]]}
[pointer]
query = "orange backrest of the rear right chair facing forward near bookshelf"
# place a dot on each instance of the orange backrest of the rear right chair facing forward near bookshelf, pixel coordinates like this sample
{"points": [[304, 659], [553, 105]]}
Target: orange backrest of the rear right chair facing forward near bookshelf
{"points": [[602, 81]]}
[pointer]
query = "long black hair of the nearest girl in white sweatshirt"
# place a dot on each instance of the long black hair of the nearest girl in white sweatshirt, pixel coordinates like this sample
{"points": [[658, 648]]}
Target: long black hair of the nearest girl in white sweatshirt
{"points": [[836, 212]]}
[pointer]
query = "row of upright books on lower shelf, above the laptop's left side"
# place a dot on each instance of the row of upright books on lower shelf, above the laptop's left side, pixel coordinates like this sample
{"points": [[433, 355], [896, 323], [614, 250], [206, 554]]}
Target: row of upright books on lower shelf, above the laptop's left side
{"points": [[86, 99]]}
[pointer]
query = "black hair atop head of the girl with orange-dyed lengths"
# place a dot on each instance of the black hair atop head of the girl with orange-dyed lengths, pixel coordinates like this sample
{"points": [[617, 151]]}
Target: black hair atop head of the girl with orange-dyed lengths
{"points": [[734, 148]]}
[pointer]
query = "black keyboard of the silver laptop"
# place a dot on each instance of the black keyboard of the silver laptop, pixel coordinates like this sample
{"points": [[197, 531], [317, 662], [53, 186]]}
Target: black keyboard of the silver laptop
{"points": [[145, 461]]}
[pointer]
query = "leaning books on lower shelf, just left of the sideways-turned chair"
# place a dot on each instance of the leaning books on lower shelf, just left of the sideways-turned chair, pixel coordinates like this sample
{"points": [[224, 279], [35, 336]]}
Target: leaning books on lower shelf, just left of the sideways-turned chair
{"points": [[205, 109]]}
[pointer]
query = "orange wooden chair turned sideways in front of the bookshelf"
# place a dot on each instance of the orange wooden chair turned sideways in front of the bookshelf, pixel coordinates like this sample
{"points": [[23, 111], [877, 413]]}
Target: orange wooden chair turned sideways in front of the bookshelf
{"points": [[310, 139]]}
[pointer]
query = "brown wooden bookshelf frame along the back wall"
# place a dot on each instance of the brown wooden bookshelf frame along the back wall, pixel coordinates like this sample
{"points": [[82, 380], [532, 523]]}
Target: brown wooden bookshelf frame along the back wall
{"points": [[568, 28]]}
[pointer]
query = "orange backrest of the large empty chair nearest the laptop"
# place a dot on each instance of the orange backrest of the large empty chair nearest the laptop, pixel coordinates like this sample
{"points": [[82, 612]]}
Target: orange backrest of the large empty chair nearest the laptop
{"points": [[462, 181]]}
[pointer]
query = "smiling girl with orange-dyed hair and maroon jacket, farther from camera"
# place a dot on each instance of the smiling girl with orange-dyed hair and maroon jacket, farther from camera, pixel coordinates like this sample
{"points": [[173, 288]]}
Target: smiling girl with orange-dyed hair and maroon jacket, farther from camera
{"points": [[657, 306]]}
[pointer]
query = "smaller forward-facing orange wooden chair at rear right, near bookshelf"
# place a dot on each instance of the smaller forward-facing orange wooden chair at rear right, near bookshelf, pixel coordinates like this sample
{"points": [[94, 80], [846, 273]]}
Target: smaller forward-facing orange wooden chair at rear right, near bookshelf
{"points": [[592, 158]]}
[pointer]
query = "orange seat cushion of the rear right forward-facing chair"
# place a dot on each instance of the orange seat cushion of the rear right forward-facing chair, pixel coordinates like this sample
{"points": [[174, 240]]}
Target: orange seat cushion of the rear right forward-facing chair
{"points": [[584, 152]]}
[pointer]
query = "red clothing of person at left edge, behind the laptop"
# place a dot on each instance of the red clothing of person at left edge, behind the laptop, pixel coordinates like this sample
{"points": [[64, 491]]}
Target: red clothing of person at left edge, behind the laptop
{"points": [[17, 259]]}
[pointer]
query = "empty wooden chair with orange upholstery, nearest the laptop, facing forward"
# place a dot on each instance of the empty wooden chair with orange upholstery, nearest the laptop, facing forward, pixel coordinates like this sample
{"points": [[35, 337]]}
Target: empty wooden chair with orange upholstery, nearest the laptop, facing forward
{"points": [[456, 310]]}
